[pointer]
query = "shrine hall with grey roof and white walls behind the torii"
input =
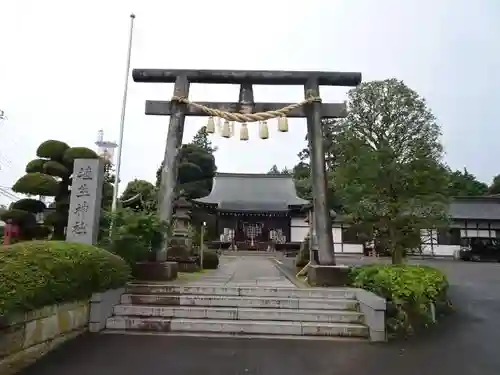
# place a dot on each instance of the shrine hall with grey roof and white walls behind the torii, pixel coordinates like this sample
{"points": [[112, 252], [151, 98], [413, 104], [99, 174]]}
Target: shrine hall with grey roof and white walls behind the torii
{"points": [[254, 211]]}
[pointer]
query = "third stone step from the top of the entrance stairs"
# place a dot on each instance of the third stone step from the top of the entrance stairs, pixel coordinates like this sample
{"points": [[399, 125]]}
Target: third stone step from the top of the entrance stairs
{"points": [[235, 313]]}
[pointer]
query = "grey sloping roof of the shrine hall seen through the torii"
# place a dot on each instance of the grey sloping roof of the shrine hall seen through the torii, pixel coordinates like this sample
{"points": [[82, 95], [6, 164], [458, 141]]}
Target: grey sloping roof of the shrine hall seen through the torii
{"points": [[253, 192]]}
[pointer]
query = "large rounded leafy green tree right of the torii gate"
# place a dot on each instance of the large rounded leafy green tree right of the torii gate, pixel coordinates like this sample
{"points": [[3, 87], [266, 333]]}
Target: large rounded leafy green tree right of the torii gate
{"points": [[388, 166]]}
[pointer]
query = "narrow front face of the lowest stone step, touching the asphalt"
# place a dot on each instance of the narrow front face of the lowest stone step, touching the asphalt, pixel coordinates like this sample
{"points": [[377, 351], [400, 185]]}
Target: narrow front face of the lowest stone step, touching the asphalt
{"points": [[234, 335]]}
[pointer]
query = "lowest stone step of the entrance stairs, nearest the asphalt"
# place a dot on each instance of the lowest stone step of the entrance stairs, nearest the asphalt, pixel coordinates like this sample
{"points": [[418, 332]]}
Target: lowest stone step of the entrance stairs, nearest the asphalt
{"points": [[236, 327]]}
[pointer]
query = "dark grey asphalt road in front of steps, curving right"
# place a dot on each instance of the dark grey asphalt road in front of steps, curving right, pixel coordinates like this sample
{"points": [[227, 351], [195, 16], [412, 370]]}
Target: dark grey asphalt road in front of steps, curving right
{"points": [[465, 344]]}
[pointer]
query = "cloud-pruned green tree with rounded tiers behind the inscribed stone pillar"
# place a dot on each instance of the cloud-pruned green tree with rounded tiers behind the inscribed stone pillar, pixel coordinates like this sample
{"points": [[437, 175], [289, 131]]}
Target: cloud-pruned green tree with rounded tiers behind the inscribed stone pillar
{"points": [[49, 175]]}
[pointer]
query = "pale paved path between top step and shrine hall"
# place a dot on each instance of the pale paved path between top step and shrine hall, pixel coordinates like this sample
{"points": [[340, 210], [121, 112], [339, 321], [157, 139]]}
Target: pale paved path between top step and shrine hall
{"points": [[253, 270]]}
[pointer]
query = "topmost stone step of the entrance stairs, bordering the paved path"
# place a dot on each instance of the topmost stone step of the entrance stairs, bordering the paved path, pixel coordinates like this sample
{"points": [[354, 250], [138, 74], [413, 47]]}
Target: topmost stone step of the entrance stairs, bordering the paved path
{"points": [[250, 291]]}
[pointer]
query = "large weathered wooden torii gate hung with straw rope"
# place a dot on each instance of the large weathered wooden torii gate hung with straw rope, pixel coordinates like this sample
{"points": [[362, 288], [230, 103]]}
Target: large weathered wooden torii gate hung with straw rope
{"points": [[312, 108]]}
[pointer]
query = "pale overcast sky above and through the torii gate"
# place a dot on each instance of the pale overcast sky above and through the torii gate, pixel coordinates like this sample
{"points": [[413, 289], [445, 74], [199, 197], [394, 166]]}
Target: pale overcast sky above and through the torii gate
{"points": [[62, 70]]}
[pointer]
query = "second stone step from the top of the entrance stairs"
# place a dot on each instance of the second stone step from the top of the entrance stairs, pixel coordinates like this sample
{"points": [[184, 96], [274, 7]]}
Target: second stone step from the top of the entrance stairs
{"points": [[240, 301]]}
